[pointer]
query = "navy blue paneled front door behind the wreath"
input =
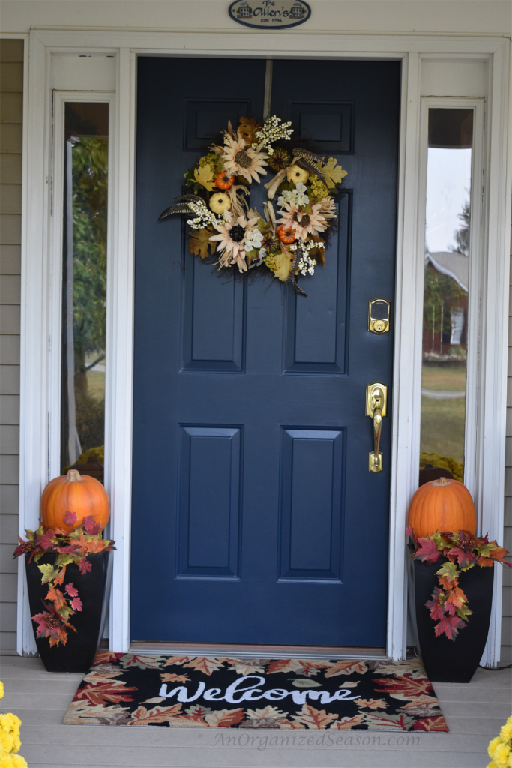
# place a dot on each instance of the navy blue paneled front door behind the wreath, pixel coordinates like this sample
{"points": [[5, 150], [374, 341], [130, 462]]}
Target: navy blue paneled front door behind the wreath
{"points": [[255, 518]]}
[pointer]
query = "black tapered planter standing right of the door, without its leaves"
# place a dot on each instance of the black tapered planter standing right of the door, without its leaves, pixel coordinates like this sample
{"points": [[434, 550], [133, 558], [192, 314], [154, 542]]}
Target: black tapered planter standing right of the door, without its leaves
{"points": [[453, 661]]}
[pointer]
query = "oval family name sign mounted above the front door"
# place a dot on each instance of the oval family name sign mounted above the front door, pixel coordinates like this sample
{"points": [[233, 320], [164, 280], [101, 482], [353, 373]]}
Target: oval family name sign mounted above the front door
{"points": [[270, 14]]}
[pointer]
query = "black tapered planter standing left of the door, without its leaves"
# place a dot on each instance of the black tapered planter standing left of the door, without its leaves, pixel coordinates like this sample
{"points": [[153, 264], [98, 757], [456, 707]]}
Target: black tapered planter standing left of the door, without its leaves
{"points": [[78, 653]]}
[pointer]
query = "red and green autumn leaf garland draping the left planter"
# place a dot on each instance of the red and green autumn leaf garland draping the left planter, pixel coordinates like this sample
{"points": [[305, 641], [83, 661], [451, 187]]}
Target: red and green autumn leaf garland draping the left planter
{"points": [[62, 601]]}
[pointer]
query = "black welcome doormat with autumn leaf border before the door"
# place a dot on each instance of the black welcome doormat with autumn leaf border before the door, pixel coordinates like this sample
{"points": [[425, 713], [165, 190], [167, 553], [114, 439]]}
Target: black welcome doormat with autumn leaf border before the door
{"points": [[127, 689]]}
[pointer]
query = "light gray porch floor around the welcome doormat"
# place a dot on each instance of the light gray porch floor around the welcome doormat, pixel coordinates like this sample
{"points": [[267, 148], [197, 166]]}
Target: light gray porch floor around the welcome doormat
{"points": [[474, 712]]}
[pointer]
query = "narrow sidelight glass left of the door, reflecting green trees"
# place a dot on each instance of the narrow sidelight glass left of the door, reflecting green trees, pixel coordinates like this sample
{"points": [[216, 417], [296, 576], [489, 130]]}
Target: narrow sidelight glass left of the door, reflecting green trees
{"points": [[83, 359]]}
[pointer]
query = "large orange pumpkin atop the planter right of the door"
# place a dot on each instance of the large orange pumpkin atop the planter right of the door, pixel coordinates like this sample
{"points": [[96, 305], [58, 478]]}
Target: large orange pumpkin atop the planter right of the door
{"points": [[442, 505]]}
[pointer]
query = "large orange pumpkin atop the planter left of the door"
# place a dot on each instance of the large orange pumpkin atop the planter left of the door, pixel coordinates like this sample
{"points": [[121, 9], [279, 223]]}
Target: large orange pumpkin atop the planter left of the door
{"points": [[77, 493]]}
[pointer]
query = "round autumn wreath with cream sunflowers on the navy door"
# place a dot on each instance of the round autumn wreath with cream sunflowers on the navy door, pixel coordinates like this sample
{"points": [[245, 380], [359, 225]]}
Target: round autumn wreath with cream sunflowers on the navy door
{"points": [[289, 241]]}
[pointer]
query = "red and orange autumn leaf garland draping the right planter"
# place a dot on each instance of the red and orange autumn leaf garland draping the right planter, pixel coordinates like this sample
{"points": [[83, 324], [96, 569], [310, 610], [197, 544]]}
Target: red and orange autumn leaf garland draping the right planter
{"points": [[462, 551]]}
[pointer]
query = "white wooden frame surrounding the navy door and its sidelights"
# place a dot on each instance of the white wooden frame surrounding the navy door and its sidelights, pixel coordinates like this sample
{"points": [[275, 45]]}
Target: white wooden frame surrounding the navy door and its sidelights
{"points": [[40, 335]]}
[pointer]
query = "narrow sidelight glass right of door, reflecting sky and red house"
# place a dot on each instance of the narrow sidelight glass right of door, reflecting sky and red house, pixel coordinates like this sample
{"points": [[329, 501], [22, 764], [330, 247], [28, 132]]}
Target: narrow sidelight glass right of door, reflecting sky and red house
{"points": [[445, 312]]}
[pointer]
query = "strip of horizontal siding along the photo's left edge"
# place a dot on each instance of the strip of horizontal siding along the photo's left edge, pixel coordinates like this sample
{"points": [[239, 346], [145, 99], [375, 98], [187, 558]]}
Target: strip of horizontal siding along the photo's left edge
{"points": [[11, 103]]}
